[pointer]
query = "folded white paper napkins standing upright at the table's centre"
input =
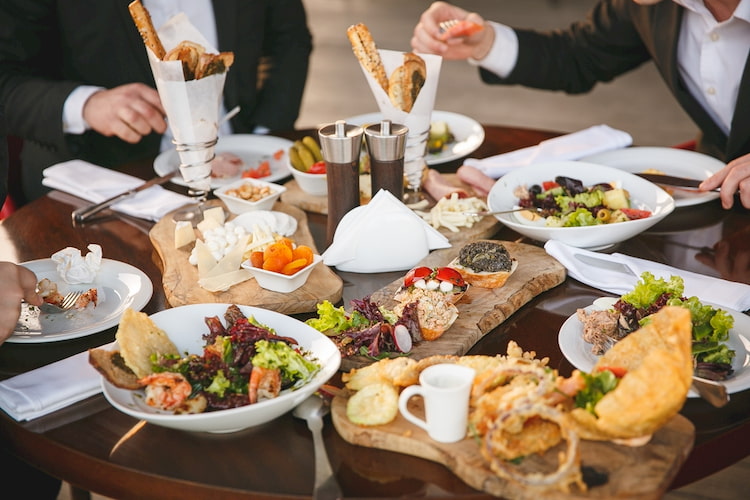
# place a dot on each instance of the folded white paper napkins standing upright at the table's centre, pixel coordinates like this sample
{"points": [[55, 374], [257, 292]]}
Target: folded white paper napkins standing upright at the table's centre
{"points": [[384, 235]]}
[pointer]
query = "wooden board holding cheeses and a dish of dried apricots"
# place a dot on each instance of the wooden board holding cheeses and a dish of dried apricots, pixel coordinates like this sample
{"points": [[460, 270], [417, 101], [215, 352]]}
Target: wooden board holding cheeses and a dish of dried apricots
{"points": [[180, 278]]}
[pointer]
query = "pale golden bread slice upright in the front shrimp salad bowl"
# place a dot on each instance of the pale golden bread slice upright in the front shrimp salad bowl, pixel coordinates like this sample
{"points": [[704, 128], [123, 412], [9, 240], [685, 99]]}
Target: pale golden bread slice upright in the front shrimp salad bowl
{"points": [[139, 338]]}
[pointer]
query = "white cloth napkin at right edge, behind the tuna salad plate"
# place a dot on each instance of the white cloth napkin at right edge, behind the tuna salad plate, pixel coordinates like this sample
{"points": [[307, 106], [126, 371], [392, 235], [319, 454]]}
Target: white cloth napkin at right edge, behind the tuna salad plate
{"points": [[581, 265]]}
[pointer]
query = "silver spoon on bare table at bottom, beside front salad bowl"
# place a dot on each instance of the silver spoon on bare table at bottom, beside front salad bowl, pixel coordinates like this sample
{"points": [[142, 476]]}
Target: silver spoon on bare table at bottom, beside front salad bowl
{"points": [[312, 410]]}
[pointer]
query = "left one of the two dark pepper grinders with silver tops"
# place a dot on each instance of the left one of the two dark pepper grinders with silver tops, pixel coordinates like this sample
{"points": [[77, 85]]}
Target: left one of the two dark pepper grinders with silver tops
{"points": [[340, 144]]}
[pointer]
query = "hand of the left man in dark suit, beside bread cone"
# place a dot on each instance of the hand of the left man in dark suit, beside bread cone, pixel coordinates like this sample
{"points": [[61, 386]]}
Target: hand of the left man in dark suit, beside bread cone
{"points": [[129, 112]]}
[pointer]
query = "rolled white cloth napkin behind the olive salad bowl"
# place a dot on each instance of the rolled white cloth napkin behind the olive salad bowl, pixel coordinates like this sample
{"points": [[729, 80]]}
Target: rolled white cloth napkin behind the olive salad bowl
{"points": [[574, 146]]}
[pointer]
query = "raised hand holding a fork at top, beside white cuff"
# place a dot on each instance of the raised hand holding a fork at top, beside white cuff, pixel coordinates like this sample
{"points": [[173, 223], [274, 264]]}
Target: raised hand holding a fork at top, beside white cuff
{"points": [[426, 38]]}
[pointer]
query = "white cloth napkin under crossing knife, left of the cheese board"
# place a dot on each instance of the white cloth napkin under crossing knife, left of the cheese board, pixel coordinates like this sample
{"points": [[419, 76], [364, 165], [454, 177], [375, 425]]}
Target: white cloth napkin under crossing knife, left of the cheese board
{"points": [[96, 184]]}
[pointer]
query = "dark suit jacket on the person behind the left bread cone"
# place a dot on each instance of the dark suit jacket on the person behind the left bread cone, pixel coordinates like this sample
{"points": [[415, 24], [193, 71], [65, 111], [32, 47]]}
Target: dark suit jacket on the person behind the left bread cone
{"points": [[49, 47]]}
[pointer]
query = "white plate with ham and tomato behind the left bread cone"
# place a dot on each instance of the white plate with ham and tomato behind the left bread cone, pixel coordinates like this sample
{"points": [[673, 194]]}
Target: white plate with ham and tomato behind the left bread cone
{"points": [[252, 148]]}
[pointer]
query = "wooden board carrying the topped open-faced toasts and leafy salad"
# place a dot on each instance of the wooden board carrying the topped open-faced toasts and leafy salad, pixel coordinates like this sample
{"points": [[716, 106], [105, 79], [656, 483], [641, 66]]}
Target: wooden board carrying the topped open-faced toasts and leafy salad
{"points": [[481, 309]]}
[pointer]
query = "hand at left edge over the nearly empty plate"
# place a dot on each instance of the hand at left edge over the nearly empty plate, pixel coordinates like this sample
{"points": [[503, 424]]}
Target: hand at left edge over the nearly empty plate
{"points": [[16, 283]]}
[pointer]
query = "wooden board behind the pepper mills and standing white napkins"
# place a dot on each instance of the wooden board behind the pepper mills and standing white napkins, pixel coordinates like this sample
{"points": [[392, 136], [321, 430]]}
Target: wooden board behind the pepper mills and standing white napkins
{"points": [[486, 227]]}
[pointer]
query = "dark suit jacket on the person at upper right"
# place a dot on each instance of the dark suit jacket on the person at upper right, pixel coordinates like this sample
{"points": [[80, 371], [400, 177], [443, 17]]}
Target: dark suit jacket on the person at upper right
{"points": [[616, 37]]}
